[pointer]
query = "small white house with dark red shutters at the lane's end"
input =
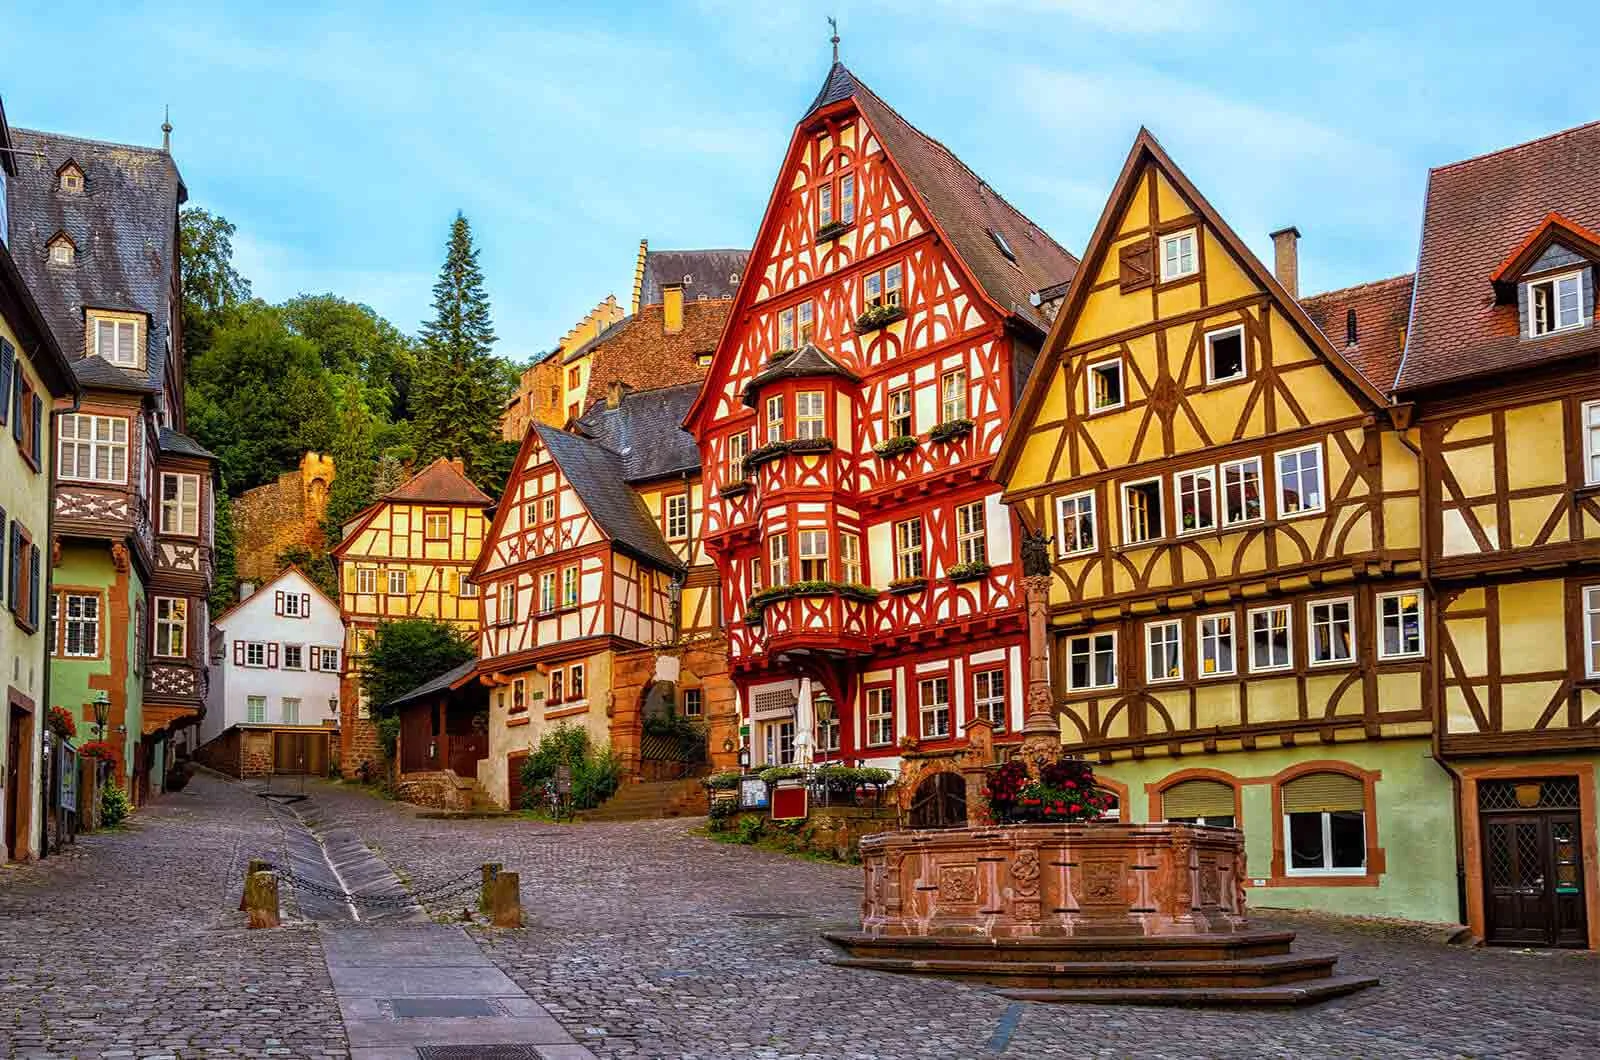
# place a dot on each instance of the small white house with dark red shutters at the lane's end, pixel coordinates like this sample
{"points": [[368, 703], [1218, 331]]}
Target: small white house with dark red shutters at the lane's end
{"points": [[276, 659]]}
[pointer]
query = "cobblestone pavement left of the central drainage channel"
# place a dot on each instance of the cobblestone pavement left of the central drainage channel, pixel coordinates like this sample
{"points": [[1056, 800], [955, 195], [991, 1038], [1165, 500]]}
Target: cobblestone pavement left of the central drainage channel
{"points": [[132, 946]]}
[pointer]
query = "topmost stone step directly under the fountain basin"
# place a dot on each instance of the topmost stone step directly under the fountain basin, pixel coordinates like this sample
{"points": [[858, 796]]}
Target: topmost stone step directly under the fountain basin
{"points": [[1066, 949]]}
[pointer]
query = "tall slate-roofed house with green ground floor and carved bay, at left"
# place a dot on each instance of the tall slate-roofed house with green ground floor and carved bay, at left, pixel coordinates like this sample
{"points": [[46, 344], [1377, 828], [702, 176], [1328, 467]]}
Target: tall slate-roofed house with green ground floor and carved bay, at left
{"points": [[94, 230]]}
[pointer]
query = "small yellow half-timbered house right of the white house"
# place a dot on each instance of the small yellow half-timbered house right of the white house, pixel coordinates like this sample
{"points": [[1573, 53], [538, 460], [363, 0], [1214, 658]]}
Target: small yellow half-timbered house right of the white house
{"points": [[406, 556]]}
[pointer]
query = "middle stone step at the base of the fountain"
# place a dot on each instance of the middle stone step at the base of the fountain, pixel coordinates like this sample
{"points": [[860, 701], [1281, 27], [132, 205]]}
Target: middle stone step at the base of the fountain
{"points": [[1274, 971]]}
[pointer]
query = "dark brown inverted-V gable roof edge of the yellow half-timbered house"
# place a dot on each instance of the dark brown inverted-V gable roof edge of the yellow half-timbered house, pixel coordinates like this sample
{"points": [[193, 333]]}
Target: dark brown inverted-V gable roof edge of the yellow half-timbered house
{"points": [[1146, 151]]}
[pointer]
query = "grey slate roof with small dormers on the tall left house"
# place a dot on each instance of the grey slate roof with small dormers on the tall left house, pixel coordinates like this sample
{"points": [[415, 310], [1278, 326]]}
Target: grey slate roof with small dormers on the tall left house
{"points": [[126, 230]]}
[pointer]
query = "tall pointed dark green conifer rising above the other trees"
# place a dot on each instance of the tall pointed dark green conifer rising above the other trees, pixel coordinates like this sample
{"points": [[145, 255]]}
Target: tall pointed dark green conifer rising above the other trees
{"points": [[460, 387]]}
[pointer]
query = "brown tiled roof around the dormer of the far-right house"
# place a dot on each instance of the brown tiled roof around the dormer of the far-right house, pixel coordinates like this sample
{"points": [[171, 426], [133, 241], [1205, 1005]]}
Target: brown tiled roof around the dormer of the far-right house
{"points": [[1479, 214]]}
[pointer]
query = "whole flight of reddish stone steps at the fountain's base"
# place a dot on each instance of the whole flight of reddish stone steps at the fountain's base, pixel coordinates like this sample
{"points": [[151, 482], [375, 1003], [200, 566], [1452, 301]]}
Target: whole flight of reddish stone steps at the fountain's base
{"points": [[1246, 970]]}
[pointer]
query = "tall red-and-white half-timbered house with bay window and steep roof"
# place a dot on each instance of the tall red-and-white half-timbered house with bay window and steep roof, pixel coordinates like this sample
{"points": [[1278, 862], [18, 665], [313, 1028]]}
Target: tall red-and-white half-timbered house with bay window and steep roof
{"points": [[855, 404]]}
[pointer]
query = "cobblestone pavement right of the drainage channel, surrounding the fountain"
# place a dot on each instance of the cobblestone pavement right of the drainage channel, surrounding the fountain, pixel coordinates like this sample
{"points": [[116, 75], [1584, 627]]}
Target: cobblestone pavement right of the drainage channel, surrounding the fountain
{"points": [[650, 942]]}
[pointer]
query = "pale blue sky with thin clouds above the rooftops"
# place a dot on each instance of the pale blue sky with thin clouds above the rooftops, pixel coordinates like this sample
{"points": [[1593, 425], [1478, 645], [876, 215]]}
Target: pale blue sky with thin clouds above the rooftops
{"points": [[343, 139]]}
